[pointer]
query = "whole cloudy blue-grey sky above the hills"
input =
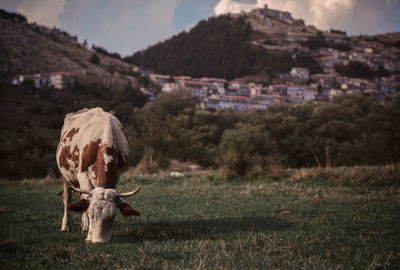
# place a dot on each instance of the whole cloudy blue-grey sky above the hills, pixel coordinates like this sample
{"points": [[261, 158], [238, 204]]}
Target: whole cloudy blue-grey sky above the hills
{"points": [[126, 26]]}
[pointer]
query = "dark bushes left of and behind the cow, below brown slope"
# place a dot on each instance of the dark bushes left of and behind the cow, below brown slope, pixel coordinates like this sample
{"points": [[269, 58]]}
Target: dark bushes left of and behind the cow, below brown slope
{"points": [[31, 121]]}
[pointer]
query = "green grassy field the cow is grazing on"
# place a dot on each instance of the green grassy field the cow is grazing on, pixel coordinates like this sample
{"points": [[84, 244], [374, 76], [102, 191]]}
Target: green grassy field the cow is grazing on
{"points": [[198, 221]]}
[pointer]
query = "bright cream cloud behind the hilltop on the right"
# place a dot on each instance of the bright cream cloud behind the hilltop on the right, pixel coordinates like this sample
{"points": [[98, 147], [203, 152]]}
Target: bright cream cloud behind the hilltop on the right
{"points": [[354, 16]]}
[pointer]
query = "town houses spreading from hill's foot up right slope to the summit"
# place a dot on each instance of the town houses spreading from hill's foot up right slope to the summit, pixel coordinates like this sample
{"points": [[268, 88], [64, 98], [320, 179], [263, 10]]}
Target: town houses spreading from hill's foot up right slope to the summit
{"points": [[299, 85]]}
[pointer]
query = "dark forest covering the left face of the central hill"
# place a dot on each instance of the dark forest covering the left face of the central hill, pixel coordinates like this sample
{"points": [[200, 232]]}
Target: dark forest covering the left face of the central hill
{"points": [[216, 47]]}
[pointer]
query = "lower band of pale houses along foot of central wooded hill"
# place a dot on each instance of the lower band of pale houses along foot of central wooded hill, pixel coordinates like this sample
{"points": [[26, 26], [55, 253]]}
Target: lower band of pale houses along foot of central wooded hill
{"points": [[217, 93]]}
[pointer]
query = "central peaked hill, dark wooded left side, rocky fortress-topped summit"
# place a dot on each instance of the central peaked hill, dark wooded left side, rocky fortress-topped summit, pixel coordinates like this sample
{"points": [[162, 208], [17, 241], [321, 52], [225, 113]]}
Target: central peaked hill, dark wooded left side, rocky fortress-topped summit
{"points": [[264, 43]]}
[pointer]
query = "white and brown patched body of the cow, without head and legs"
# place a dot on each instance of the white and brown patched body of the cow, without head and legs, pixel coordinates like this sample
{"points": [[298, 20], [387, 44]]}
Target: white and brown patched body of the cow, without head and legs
{"points": [[92, 145]]}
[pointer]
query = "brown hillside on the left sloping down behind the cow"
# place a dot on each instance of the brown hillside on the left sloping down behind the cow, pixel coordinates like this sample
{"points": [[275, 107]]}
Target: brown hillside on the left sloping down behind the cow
{"points": [[31, 118]]}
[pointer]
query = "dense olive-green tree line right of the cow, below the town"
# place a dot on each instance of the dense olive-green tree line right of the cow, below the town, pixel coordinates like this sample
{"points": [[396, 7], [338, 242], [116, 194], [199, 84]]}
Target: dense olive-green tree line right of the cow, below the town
{"points": [[352, 130]]}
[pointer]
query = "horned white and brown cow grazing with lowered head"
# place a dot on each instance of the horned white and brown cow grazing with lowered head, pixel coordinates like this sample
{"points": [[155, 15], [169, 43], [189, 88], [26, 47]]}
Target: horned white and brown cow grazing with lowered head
{"points": [[93, 146]]}
